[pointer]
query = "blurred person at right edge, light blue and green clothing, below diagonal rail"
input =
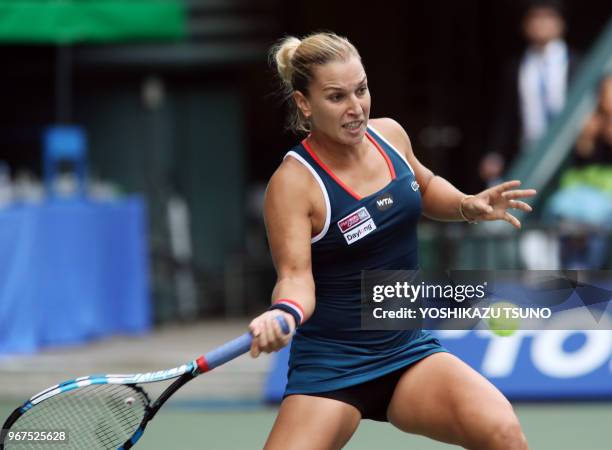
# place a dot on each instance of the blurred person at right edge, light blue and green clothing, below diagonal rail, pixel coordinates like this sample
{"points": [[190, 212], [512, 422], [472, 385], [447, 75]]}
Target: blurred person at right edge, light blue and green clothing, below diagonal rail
{"points": [[584, 202]]}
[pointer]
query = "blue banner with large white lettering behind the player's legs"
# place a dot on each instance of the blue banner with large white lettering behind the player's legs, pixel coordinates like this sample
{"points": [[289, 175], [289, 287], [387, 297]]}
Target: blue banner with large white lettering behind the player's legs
{"points": [[529, 365]]}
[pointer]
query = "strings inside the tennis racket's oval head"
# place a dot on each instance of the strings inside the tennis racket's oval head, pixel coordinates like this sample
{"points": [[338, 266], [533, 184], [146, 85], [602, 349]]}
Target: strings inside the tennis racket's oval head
{"points": [[94, 417]]}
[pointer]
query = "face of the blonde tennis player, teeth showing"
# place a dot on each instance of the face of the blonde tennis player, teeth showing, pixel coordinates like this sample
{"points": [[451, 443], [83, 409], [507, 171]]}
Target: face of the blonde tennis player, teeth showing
{"points": [[338, 101]]}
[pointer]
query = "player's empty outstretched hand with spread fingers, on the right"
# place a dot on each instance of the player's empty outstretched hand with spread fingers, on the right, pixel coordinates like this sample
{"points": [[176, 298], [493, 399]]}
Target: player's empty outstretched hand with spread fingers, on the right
{"points": [[494, 203]]}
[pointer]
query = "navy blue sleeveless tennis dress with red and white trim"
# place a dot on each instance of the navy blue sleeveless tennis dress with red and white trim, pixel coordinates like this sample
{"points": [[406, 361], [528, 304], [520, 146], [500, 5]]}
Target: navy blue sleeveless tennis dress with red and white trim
{"points": [[330, 351]]}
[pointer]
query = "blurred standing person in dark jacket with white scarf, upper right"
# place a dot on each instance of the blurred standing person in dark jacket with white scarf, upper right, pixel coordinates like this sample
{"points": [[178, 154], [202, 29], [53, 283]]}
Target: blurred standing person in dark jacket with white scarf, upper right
{"points": [[533, 90]]}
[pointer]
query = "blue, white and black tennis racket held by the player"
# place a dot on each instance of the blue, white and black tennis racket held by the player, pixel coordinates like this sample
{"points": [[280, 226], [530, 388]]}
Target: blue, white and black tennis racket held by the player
{"points": [[105, 411]]}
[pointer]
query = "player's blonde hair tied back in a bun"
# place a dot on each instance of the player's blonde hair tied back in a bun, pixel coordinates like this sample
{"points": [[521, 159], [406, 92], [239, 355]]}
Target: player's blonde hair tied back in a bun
{"points": [[295, 59]]}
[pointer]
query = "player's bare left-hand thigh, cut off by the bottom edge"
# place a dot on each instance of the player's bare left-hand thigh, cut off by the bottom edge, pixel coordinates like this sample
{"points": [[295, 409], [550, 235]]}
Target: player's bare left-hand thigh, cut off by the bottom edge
{"points": [[312, 423]]}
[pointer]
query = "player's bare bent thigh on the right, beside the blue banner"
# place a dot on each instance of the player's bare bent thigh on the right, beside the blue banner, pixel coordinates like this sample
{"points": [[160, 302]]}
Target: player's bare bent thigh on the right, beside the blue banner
{"points": [[443, 398]]}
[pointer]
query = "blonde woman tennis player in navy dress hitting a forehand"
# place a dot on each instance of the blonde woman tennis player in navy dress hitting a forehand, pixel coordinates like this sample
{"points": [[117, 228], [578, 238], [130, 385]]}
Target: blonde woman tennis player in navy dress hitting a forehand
{"points": [[347, 199]]}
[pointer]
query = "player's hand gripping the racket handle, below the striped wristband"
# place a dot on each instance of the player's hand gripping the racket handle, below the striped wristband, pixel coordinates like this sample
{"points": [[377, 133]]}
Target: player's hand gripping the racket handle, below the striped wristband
{"points": [[267, 334]]}
